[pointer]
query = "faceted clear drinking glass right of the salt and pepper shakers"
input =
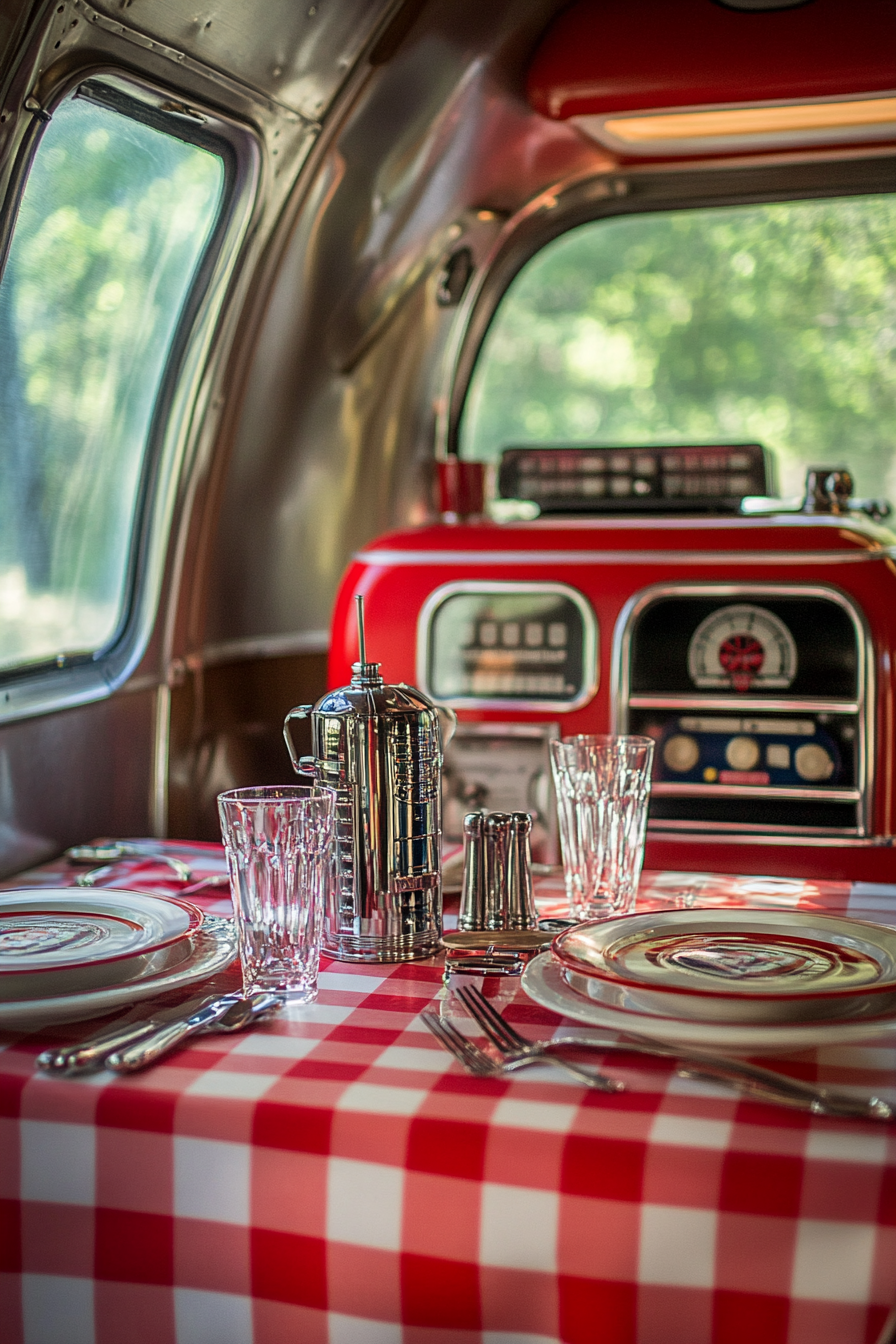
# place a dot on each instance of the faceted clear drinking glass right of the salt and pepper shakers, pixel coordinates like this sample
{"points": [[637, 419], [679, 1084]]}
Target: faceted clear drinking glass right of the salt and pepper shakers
{"points": [[602, 786]]}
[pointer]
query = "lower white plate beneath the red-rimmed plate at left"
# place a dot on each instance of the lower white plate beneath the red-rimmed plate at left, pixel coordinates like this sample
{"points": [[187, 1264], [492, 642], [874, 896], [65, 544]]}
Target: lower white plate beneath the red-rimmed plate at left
{"points": [[213, 948]]}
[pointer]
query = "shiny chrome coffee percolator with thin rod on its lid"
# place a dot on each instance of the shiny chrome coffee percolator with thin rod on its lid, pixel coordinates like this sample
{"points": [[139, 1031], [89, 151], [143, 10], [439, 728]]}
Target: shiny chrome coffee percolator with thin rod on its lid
{"points": [[381, 749]]}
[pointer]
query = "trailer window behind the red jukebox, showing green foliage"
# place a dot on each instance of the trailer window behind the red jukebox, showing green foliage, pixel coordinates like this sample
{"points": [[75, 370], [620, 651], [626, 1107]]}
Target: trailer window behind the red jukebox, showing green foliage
{"points": [[769, 323]]}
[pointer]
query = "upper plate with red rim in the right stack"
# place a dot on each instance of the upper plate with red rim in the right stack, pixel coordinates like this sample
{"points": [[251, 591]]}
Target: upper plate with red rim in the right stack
{"points": [[740, 955]]}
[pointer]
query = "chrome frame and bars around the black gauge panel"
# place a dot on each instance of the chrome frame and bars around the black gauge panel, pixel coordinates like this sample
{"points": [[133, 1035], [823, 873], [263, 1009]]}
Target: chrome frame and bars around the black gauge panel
{"points": [[621, 702]]}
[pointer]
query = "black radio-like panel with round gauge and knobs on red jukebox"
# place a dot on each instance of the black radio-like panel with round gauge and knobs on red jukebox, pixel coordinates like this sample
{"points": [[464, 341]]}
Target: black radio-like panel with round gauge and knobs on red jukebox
{"points": [[757, 701]]}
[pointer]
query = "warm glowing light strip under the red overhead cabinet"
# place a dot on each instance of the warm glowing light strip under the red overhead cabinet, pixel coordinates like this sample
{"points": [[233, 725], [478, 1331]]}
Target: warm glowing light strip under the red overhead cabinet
{"points": [[754, 122]]}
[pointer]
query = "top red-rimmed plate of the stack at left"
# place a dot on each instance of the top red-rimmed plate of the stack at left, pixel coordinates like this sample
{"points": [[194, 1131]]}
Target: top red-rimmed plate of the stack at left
{"points": [[61, 928]]}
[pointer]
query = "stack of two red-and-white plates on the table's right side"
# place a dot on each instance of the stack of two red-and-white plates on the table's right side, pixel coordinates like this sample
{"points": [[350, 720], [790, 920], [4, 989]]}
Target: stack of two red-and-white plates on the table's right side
{"points": [[752, 980]]}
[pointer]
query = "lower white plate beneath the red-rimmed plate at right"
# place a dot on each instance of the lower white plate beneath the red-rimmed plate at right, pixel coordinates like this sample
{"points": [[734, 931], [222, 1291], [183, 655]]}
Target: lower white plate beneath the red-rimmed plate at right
{"points": [[543, 980]]}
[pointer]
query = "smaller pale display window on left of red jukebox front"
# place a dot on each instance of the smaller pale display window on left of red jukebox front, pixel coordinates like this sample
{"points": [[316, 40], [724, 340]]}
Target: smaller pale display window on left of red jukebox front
{"points": [[529, 646]]}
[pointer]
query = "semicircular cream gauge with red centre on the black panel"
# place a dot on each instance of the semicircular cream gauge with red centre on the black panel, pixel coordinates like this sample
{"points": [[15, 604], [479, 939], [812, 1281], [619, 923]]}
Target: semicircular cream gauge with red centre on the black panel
{"points": [[745, 648]]}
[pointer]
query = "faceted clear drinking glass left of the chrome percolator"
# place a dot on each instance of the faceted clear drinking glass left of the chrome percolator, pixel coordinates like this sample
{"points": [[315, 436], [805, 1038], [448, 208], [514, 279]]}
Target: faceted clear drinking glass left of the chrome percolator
{"points": [[279, 854]]}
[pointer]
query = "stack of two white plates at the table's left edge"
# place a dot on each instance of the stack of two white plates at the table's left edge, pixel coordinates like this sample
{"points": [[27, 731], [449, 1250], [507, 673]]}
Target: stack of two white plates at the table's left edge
{"points": [[68, 954]]}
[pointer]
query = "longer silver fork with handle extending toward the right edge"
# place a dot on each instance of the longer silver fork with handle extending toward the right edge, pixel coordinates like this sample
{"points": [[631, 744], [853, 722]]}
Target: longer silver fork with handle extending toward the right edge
{"points": [[750, 1080]]}
